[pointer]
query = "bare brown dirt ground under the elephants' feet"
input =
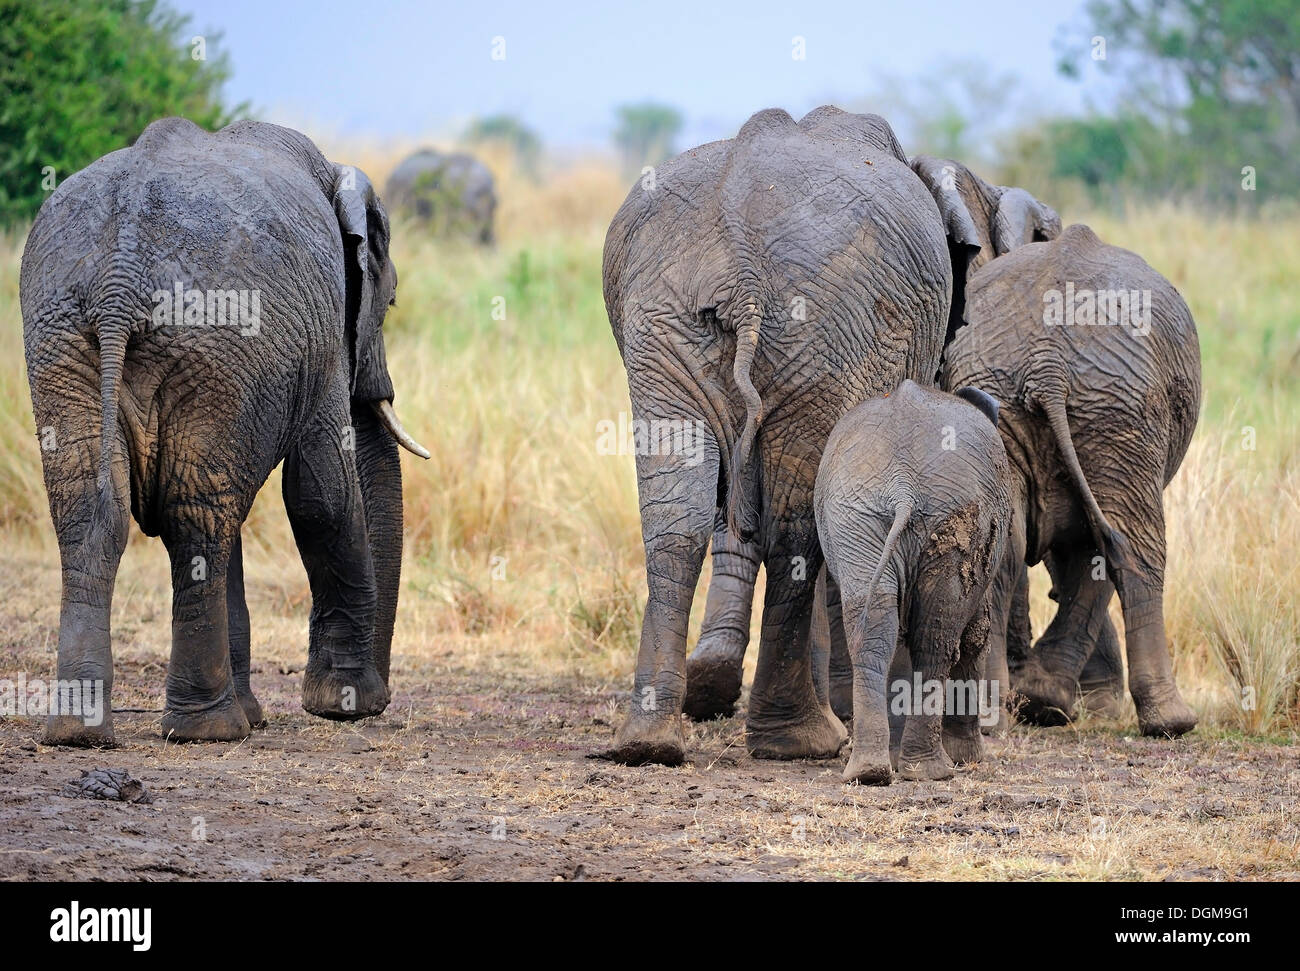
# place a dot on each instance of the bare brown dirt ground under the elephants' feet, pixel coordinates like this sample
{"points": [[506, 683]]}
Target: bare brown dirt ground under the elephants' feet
{"points": [[479, 774]]}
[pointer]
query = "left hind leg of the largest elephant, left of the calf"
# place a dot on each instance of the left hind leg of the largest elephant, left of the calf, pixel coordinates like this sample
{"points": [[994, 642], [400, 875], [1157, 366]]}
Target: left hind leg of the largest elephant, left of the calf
{"points": [[678, 515]]}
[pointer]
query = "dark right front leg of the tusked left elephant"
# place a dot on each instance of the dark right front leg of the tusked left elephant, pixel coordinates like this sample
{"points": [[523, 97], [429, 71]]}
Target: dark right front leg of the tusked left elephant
{"points": [[326, 509]]}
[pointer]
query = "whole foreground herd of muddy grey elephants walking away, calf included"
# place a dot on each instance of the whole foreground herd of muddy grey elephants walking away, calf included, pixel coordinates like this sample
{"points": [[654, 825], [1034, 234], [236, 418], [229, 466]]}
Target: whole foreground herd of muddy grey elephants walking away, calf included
{"points": [[915, 385]]}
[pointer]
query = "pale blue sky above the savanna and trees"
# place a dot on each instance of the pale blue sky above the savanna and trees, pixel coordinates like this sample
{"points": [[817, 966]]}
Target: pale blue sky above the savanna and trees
{"points": [[408, 68]]}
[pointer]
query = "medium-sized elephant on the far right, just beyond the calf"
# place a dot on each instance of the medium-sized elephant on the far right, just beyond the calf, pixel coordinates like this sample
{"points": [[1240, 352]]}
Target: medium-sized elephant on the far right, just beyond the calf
{"points": [[1097, 422]]}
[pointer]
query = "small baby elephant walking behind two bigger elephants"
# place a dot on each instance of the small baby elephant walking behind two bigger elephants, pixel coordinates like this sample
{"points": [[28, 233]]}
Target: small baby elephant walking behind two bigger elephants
{"points": [[913, 509]]}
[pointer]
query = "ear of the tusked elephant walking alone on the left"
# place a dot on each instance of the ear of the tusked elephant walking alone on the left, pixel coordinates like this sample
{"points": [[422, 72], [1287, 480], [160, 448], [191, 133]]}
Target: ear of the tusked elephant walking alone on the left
{"points": [[366, 255]]}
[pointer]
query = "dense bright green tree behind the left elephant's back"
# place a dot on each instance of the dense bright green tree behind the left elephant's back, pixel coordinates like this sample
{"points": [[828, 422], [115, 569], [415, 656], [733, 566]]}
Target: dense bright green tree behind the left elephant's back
{"points": [[79, 81]]}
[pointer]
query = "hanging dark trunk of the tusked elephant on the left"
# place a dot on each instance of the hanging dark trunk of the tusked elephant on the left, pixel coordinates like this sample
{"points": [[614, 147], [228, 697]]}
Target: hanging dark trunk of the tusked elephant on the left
{"points": [[380, 473]]}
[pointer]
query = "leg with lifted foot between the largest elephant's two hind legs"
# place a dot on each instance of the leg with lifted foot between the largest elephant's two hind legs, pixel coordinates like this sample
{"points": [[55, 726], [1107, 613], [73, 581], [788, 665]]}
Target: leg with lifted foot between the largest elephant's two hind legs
{"points": [[716, 667]]}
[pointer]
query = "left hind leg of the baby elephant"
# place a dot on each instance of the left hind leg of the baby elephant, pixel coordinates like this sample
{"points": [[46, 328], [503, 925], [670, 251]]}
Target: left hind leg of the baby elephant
{"points": [[873, 628]]}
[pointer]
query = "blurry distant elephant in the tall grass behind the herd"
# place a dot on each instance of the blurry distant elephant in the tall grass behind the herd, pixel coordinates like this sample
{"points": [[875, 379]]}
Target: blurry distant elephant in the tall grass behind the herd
{"points": [[452, 193]]}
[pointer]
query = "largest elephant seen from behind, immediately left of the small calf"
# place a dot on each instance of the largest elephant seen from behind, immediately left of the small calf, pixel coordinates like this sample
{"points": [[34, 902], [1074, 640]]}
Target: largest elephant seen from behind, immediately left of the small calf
{"points": [[703, 268]]}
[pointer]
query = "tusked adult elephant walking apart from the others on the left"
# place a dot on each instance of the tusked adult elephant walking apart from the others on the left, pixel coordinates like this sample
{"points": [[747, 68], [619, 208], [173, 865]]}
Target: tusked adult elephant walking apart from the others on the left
{"points": [[198, 309]]}
